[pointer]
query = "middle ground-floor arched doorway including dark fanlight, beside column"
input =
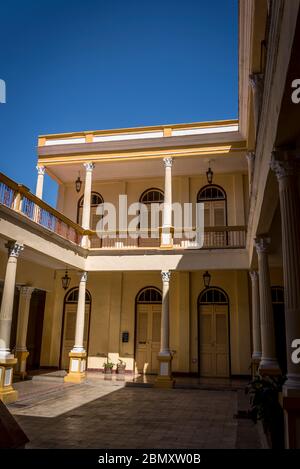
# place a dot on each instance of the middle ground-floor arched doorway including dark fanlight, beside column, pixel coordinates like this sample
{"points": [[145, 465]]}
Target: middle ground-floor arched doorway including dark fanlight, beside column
{"points": [[147, 327]]}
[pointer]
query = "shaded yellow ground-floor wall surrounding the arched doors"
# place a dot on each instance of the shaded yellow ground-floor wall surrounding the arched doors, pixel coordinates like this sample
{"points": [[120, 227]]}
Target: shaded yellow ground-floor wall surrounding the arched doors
{"points": [[113, 312]]}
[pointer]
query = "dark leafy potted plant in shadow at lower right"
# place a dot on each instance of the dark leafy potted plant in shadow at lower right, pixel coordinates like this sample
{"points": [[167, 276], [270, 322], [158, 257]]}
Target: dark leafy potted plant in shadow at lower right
{"points": [[264, 392]]}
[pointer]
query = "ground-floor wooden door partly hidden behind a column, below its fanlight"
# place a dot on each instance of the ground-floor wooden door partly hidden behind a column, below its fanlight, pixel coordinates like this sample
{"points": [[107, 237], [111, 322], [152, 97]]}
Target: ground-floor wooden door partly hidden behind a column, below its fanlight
{"points": [[69, 332]]}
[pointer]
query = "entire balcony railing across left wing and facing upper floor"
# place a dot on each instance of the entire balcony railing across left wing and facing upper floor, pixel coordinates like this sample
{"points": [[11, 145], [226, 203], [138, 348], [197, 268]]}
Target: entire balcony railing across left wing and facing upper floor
{"points": [[18, 198]]}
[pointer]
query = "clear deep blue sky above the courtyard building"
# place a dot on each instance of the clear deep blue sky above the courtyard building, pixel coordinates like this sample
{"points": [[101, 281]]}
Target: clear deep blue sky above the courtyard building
{"points": [[72, 65]]}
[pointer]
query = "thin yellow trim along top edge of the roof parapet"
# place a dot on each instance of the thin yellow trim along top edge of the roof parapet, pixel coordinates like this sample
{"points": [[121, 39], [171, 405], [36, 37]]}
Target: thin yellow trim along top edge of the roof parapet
{"points": [[192, 125]]}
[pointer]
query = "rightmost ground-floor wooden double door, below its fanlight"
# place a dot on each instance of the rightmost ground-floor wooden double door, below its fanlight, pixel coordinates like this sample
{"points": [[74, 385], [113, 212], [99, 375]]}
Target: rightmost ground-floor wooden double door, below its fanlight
{"points": [[213, 340]]}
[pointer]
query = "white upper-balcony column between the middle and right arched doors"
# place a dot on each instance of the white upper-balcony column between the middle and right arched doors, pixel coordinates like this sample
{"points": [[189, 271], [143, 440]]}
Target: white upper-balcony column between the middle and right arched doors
{"points": [[166, 236]]}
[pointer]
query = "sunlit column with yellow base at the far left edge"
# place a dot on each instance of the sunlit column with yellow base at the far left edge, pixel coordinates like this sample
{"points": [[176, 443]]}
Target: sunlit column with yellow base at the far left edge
{"points": [[7, 360]]}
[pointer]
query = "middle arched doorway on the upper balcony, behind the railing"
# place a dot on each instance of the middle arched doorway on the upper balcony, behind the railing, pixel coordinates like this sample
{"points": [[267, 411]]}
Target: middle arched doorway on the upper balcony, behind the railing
{"points": [[149, 197]]}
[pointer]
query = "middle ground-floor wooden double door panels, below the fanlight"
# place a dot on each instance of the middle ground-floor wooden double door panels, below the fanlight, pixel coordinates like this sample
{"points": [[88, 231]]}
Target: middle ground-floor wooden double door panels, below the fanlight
{"points": [[148, 337]]}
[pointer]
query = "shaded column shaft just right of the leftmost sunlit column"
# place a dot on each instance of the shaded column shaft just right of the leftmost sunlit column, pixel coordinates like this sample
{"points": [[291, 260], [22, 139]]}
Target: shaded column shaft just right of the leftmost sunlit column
{"points": [[23, 315]]}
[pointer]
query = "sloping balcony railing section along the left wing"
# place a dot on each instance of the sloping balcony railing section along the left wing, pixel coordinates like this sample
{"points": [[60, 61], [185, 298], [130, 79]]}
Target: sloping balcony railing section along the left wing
{"points": [[18, 198]]}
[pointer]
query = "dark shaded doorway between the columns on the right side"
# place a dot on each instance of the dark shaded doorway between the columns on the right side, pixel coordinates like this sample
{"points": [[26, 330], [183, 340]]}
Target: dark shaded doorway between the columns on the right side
{"points": [[279, 326]]}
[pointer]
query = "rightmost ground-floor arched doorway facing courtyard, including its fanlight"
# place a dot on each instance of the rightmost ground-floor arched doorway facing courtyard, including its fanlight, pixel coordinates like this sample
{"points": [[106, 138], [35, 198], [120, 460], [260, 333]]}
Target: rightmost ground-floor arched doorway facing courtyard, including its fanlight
{"points": [[213, 333]]}
